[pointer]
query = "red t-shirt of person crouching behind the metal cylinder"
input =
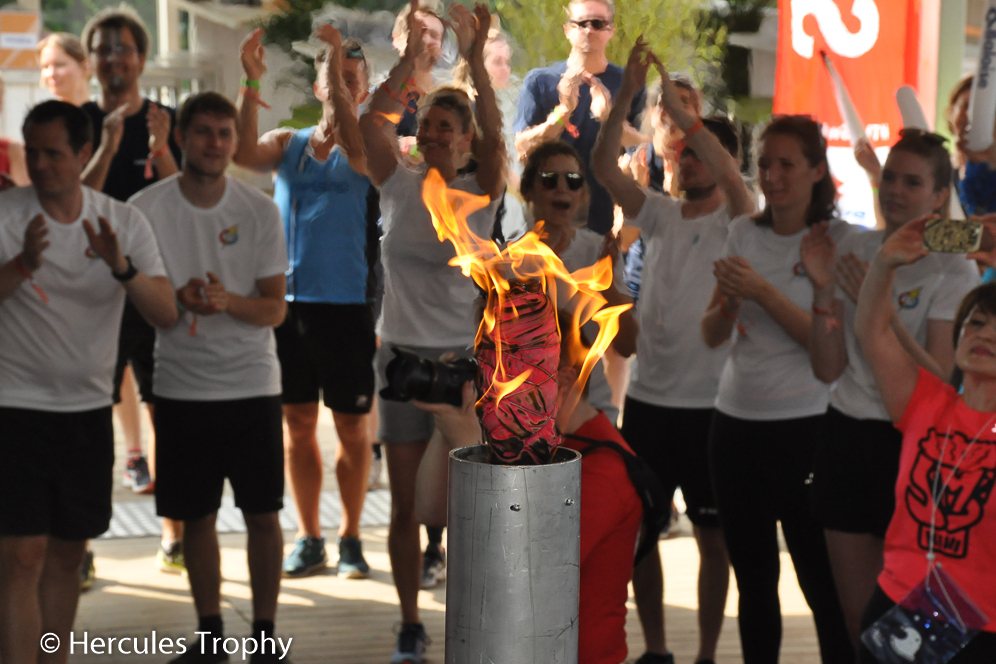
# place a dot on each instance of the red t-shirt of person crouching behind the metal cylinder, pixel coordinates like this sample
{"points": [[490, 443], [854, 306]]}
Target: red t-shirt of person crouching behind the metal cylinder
{"points": [[611, 514]]}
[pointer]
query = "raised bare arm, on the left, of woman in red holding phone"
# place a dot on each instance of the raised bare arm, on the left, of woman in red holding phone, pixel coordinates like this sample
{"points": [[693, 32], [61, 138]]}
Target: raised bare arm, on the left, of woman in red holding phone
{"points": [[892, 365]]}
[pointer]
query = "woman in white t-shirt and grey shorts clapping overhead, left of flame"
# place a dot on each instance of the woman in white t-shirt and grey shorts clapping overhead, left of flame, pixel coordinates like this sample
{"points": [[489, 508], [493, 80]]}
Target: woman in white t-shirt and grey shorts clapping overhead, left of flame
{"points": [[428, 304]]}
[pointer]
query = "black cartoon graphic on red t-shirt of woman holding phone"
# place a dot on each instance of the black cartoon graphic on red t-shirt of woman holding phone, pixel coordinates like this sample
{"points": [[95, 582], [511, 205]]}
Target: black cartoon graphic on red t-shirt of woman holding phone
{"points": [[967, 474]]}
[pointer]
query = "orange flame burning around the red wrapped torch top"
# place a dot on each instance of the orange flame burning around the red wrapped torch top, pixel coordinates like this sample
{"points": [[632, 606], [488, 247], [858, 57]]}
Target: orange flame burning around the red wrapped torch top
{"points": [[529, 259]]}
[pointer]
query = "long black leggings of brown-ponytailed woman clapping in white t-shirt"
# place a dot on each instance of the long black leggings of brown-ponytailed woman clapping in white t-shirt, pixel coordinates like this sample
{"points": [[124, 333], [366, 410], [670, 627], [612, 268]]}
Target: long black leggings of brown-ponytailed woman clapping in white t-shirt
{"points": [[761, 473]]}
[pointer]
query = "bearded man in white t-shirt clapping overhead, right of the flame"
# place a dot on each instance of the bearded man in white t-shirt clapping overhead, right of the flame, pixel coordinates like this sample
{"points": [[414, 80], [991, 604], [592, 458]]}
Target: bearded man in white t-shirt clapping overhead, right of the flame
{"points": [[674, 382]]}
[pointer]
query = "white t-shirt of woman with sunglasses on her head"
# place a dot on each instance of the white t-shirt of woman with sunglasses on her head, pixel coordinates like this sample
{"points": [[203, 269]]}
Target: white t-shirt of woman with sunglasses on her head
{"points": [[930, 289]]}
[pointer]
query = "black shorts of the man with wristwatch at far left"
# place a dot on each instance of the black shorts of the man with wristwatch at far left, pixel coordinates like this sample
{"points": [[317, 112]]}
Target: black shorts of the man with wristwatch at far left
{"points": [[56, 473]]}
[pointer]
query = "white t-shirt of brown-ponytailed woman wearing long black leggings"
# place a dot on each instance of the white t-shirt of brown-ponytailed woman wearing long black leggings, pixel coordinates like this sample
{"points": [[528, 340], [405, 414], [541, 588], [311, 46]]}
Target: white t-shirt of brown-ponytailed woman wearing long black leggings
{"points": [[768, 375]]}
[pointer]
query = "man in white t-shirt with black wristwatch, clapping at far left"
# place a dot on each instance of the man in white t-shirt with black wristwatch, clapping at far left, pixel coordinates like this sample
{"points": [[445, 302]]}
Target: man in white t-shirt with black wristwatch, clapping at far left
{"points": [[68, 258]]}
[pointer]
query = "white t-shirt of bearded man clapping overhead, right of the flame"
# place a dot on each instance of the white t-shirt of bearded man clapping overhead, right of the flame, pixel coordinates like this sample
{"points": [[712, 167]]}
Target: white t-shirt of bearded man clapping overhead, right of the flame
{"points": [[673, 366]]}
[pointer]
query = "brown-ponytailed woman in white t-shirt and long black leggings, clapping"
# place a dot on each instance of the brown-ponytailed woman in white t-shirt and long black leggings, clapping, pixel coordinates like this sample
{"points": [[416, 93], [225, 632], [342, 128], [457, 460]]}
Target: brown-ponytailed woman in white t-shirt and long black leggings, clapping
{"points": [[770, 406]]}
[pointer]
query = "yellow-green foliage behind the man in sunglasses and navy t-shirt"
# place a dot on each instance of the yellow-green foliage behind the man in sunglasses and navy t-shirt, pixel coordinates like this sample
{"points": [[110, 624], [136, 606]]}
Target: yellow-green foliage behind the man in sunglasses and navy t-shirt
{"points": [[678, 31]]}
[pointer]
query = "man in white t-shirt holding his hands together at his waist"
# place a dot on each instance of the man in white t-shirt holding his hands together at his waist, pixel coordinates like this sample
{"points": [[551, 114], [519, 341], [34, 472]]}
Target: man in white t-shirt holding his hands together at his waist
{"points": [[217, 378]]}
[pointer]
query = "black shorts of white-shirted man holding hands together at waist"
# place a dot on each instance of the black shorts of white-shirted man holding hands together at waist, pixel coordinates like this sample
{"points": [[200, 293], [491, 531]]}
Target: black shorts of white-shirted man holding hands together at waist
{"points": [[200, 443]]}
